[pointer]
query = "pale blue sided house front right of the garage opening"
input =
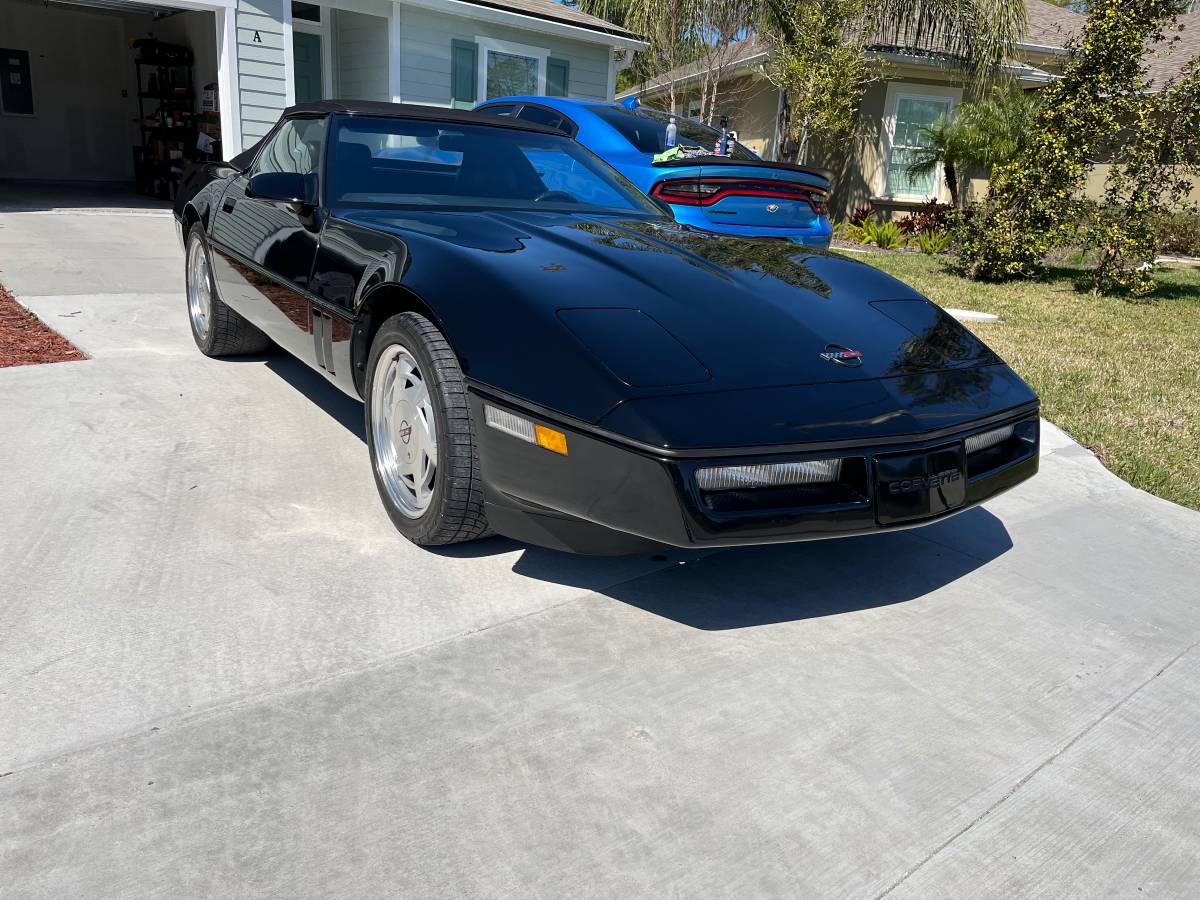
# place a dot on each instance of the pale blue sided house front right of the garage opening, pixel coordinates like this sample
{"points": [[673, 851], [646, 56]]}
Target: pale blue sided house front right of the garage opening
{"points": [[434, 52]]}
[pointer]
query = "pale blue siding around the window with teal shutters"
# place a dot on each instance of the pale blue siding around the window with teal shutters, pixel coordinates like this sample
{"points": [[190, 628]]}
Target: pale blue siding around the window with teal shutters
{"points": [[425, 41]]}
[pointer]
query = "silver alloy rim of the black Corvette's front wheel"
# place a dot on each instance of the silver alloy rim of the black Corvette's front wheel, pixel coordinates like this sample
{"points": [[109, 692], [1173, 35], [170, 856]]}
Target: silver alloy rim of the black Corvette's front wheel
{"points": [[404, 431]]}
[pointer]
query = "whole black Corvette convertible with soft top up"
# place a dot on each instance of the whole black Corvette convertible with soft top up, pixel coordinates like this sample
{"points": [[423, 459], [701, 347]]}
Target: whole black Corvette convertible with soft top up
{"points": [[544, 353]]}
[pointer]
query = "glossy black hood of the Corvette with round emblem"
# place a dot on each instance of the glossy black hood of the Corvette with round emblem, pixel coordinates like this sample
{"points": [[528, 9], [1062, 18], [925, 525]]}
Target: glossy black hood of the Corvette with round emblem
{"points": [[659, 310]]}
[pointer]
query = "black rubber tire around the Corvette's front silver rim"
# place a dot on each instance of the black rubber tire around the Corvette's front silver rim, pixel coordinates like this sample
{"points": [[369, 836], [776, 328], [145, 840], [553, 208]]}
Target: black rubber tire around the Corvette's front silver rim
{"points": [[455, 512]]}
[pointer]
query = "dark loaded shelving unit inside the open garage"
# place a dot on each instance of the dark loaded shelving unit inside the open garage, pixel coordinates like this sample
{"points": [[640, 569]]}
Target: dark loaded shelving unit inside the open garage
{"points": [[166, 117]]}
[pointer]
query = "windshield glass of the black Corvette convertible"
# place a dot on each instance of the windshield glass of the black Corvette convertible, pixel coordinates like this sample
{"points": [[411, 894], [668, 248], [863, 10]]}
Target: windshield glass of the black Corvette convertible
{"points": [[385, 163]]}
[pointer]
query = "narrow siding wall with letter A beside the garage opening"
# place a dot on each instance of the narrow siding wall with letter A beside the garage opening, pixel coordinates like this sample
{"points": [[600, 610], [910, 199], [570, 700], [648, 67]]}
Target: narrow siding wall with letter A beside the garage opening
{"points": [[261, 73]]}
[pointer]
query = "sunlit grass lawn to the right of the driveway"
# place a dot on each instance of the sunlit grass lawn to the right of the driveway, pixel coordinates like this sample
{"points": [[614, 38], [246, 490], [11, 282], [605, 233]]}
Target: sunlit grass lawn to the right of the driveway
{"points": [[1121, 379]]}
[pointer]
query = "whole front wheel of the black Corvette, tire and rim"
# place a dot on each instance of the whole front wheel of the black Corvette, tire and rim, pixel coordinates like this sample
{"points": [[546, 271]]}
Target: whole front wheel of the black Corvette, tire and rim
{"points": [[421, 436]]}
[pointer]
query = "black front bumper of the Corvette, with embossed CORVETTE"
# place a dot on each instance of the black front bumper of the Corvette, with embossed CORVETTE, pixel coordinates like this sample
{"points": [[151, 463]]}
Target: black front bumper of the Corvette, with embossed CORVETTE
{"points": [[613, 496]]}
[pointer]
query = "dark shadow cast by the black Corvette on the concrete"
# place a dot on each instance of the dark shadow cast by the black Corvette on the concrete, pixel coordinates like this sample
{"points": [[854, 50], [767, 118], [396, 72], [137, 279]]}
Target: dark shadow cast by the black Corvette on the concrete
{"points": [[734, 589]]}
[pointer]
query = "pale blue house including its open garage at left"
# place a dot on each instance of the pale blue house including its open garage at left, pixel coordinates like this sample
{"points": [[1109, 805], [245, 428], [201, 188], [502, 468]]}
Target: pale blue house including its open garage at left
{"points": [[70, 105]]}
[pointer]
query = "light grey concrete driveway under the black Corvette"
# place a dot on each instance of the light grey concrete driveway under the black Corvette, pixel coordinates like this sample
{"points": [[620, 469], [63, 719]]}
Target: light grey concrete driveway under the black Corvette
{"points": [[223, 674]]}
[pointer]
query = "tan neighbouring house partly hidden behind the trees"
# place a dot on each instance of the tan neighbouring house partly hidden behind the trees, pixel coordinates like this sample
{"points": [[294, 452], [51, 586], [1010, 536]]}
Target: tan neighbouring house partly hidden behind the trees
{"points": [[915, 92]]}
